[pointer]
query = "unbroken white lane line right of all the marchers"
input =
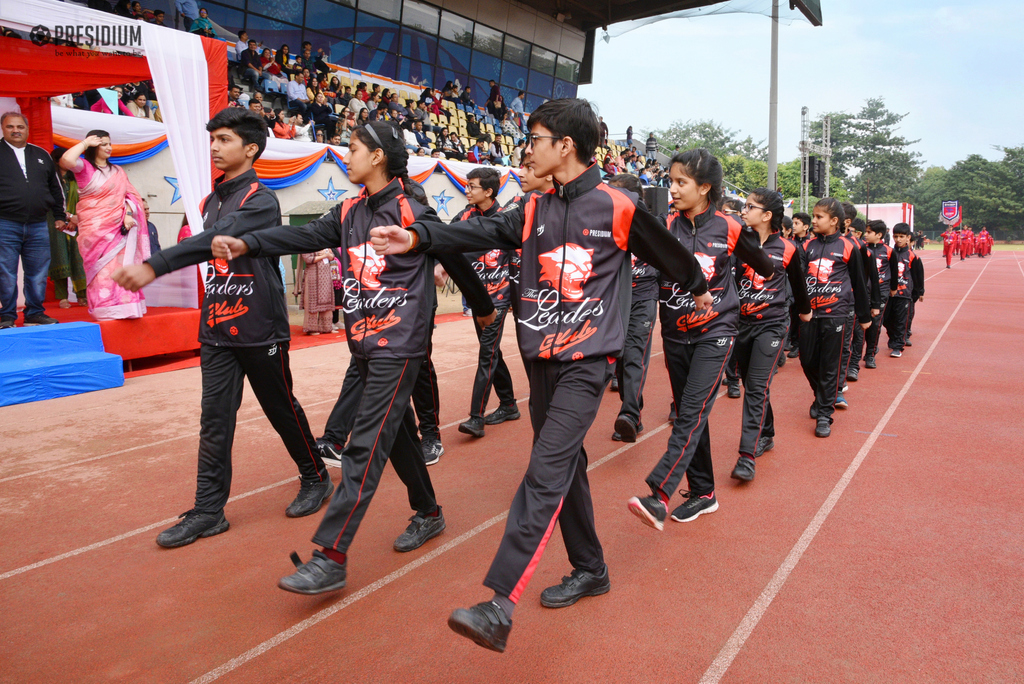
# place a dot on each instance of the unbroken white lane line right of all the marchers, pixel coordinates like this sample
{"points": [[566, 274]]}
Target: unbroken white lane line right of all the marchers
{"points": [[729, 654]]}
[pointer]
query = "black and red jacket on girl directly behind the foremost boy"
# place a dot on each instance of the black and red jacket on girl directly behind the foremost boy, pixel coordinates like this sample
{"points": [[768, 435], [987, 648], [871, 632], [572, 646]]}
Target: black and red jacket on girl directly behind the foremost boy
{"points": [[713, 238]]}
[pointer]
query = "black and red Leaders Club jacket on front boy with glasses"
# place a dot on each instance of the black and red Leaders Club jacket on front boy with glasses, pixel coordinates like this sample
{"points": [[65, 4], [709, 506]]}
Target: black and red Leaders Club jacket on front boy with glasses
{"points": [[575, 285]]}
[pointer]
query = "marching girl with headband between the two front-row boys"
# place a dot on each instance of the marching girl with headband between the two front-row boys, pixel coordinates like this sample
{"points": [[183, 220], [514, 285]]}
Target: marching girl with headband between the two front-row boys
{"points": [[389, 304]]}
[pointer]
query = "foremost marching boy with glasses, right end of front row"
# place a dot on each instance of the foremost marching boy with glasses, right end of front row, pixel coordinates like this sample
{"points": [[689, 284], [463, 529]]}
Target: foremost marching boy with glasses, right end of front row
{"points": [[573, 315]]}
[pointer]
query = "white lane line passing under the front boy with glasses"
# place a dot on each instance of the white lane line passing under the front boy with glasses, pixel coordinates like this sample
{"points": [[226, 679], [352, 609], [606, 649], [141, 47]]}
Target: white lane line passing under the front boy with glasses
{"points": [[318, 618]]}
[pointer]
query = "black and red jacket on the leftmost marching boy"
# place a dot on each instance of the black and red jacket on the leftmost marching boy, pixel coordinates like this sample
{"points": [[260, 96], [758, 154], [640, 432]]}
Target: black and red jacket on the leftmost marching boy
{"points": [[244, 305]]}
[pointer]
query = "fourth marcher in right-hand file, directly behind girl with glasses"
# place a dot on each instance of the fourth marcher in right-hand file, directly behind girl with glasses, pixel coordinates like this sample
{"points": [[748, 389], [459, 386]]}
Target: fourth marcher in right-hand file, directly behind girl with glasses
{"points": [[836, 285]]}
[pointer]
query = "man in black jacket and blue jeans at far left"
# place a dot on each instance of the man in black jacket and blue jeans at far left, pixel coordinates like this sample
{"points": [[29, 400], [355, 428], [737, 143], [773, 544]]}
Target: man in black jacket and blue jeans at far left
{"points": [[29, 189]]}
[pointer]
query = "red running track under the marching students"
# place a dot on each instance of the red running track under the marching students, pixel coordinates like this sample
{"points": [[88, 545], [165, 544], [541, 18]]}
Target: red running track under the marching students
{"points": [[889, 552]]}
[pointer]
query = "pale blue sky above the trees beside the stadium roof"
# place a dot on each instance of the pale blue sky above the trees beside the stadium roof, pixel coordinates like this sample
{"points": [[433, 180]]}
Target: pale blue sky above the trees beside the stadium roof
{"points": [[956, 69]]}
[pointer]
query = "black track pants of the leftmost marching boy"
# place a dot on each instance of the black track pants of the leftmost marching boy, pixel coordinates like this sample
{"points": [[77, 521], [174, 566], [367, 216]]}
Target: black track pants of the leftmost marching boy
{"points": [[271, 378]]}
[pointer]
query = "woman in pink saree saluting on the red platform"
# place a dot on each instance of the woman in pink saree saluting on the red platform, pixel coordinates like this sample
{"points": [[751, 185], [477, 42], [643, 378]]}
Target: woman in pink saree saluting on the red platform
{"points": [[112, 228]]}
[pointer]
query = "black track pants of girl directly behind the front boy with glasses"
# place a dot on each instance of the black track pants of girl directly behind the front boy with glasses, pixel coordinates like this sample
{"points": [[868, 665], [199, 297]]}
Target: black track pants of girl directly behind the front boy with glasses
{"points": [[696, 372]]}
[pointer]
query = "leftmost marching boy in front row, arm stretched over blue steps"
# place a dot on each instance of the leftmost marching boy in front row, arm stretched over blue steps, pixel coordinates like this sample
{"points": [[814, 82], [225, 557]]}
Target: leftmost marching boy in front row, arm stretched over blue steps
{"points": [[244, 332]]}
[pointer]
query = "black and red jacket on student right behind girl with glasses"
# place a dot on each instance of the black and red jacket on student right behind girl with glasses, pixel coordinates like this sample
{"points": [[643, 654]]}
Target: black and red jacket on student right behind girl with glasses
{"points": [[835, 278]]}
